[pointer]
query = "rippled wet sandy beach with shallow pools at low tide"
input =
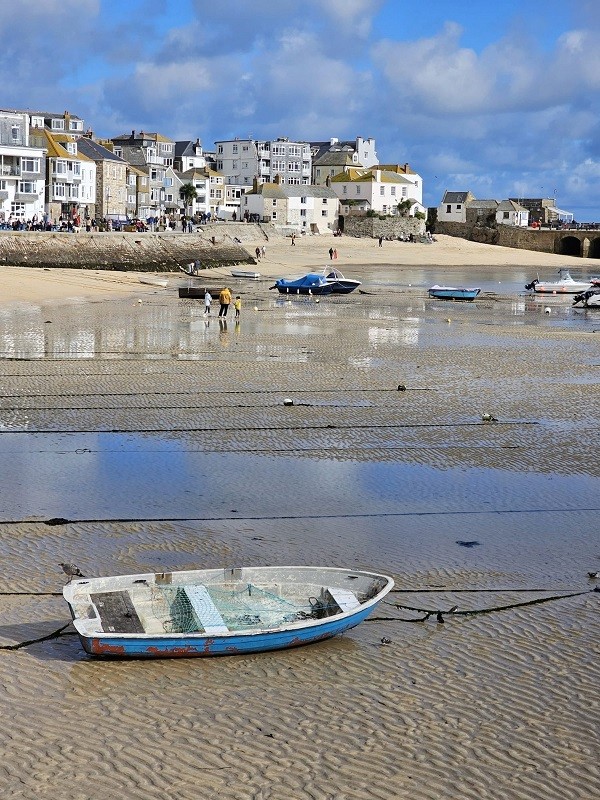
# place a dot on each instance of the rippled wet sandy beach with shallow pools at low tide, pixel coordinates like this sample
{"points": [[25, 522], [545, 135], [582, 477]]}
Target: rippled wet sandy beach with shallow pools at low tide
{"points": [[142, 436]]}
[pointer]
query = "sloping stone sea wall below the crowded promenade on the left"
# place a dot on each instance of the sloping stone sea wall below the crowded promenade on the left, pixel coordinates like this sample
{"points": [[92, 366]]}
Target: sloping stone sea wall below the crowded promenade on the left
{"points": [[215, 246]]}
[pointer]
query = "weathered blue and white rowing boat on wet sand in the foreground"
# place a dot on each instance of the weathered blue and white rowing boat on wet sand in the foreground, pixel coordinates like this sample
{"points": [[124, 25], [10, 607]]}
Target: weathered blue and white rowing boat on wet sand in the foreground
{"points": [[219, 611]]}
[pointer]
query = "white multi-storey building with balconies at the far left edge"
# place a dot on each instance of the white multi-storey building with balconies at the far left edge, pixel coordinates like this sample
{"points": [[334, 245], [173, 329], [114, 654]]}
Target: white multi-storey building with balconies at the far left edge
{"points": [[22, 170]]}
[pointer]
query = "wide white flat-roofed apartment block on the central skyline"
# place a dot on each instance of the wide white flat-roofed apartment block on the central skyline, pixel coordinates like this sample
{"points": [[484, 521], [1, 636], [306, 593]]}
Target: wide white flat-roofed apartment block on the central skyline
{"points": [[243, 160]]}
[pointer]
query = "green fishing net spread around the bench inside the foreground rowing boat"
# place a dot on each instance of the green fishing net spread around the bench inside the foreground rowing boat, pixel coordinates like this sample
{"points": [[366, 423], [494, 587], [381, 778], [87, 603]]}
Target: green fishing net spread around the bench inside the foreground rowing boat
{"points": [[190, 609]]}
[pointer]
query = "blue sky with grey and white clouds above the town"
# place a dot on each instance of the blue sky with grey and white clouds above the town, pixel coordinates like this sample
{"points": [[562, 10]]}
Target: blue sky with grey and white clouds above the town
{"points": [[500, 98]]}
